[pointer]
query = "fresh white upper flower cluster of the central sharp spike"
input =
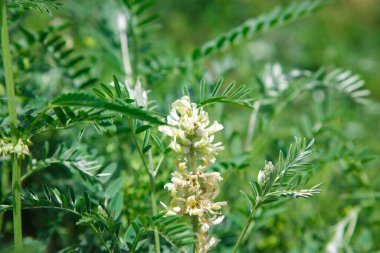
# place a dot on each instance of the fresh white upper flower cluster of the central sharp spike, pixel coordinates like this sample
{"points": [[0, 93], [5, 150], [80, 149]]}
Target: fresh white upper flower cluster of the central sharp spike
{"points": [[189, 128]]}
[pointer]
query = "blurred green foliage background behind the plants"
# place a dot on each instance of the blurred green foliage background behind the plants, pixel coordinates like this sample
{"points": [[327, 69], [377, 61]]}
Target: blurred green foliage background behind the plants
{"points": [[344, 34]]}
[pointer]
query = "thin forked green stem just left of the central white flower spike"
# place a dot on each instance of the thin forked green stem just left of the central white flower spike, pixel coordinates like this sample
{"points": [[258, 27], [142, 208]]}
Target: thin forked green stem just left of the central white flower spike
{"points": [[152, 178]]}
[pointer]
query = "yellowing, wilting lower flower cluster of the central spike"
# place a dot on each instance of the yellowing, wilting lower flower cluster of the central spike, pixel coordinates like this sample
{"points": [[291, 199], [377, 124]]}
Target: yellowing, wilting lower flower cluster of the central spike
{"points": [[192, 194]]}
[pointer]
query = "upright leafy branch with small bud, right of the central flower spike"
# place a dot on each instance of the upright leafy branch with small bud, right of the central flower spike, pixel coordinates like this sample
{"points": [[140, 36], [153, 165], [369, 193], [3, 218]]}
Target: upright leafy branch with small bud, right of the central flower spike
{"points": [[281, 181]]}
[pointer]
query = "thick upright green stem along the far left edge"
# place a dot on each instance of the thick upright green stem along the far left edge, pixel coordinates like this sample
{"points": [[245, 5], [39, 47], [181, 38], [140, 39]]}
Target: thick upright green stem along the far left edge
{"points": [[16, 164]]}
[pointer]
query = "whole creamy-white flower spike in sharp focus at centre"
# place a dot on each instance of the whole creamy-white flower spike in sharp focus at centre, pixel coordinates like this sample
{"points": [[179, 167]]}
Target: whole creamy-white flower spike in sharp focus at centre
{"points": [[193, 190]]}
